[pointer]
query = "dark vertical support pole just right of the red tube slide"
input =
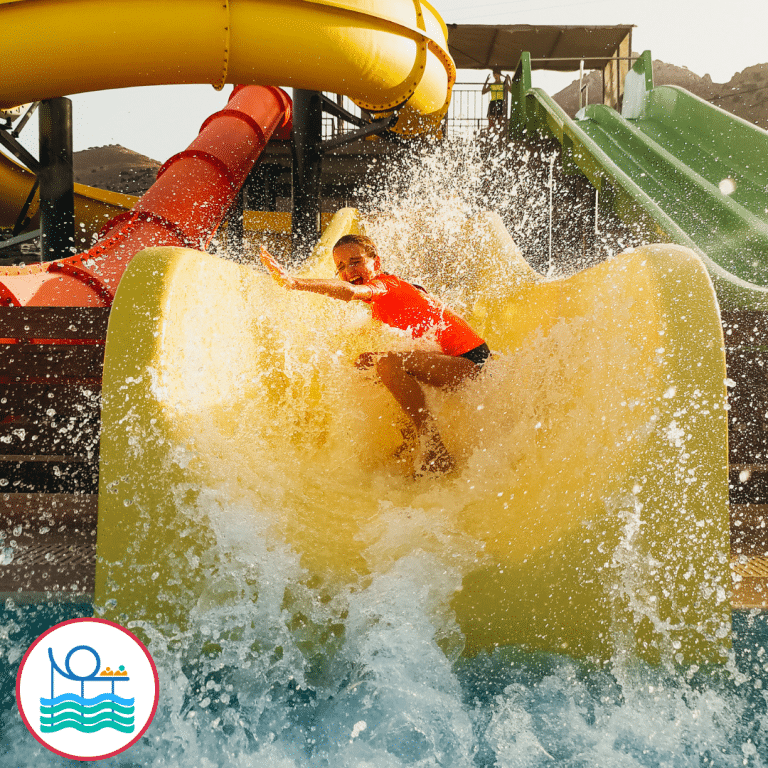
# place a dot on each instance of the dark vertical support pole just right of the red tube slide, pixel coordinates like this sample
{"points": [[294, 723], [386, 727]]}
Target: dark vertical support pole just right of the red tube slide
{"points": [[307, 165]]}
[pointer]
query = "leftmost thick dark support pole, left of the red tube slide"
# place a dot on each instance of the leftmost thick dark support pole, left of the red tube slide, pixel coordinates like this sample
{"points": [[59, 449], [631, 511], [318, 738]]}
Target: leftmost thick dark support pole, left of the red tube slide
{"points": [[57, 178]]}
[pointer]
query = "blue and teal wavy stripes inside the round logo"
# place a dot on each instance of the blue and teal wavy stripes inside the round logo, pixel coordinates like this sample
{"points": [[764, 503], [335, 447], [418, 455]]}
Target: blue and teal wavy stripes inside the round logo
{"points": [[69, 710]]}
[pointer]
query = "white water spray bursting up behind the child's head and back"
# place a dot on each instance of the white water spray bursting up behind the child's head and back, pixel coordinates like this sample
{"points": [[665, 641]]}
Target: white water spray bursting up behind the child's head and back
{"points": [[418, 208]]}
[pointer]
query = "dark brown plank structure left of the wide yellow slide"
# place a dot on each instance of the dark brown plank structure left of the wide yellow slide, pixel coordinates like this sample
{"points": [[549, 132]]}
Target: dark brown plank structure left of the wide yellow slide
{"points": [[51, 361]]}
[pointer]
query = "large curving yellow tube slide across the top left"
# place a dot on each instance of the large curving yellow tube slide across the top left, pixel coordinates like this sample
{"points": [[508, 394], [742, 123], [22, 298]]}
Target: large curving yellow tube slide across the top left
{"points": [[383, 54]]}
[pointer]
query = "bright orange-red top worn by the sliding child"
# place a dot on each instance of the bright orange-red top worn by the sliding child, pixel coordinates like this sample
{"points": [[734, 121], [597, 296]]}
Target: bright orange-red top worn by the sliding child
{"points": [[406, 307]]}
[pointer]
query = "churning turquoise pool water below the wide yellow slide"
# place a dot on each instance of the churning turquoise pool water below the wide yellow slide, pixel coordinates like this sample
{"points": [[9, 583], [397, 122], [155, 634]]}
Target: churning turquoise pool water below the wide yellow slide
{"points": [[387, 696]]}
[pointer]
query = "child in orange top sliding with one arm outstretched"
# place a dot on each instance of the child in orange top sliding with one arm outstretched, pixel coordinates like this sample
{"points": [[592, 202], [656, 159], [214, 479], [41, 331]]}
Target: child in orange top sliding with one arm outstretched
{"points": [[401, 305]]}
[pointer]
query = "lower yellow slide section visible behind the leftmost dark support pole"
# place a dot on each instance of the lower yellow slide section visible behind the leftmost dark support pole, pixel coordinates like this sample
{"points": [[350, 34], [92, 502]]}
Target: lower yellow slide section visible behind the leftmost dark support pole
{"points": [[93, 207]]}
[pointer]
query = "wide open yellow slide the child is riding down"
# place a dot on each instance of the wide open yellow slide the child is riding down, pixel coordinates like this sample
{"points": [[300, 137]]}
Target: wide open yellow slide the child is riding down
{"points": [[588, 514]]}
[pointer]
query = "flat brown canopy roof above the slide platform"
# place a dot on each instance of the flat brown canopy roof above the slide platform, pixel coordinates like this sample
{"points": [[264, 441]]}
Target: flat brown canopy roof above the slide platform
{"points": [[490, 46]]}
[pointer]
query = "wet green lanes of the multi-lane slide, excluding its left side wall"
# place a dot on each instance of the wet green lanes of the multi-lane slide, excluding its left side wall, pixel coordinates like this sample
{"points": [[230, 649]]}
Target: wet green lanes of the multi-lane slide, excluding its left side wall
{"points": [[684, 154]]}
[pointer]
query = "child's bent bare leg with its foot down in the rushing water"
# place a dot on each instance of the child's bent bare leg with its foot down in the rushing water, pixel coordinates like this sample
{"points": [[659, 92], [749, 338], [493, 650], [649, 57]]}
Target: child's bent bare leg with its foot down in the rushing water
{"points": [[401, 373]]}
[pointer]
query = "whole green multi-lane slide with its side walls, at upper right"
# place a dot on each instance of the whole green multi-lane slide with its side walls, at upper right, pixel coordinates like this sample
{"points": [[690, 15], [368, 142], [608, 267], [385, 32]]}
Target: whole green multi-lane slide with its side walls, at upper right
{"points": [[675, 166]]}
